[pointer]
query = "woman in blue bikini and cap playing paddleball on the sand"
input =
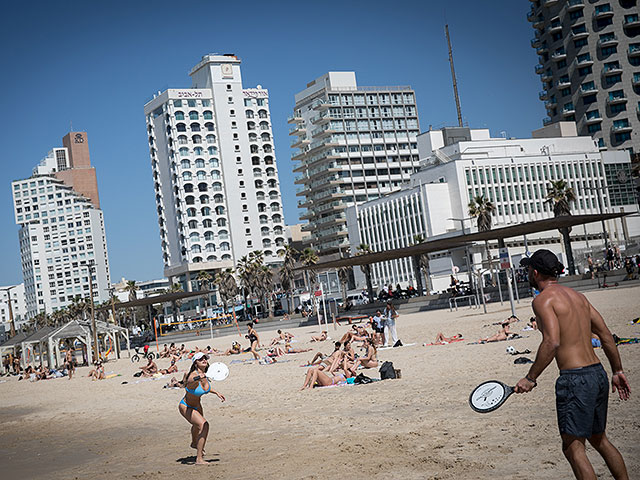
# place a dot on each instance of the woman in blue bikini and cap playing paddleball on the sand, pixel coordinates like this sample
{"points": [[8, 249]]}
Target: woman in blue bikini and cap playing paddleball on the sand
{"points": [[196, 385]]}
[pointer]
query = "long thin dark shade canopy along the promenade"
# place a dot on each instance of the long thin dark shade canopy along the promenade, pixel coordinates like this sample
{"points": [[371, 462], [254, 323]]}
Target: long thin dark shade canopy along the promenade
{"points": [[457, 240]]}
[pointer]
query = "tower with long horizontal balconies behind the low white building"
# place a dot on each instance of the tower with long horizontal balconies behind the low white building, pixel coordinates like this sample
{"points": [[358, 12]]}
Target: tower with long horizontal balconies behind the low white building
{"points": [[354, 144]]}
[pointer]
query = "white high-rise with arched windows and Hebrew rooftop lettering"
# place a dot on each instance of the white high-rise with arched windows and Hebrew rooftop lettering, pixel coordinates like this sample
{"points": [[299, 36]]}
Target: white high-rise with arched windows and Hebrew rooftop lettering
{"points": [[214, 169]]}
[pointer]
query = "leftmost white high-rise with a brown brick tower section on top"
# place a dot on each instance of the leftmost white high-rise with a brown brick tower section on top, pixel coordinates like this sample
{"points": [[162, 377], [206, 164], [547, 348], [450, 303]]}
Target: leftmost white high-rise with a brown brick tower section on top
{"points": [[61, 229]]}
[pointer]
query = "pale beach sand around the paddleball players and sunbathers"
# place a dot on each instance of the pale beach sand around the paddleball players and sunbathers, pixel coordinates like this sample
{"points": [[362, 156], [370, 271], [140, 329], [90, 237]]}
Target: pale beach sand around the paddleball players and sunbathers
{"points": [[417, 427]]}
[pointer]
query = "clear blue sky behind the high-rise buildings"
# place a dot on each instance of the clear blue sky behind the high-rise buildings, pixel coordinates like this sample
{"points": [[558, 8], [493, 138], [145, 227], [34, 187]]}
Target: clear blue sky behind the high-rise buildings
{"points": [[96, 63]]}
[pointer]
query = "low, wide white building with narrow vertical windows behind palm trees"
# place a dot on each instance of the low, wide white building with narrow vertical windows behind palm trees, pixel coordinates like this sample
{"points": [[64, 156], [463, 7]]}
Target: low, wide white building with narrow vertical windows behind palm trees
{"points": [[459, 164]]}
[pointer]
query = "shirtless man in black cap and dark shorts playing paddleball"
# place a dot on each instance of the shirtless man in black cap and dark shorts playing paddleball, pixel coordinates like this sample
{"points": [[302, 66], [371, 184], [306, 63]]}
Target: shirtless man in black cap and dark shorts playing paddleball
{"points": [[566, 320]]}
